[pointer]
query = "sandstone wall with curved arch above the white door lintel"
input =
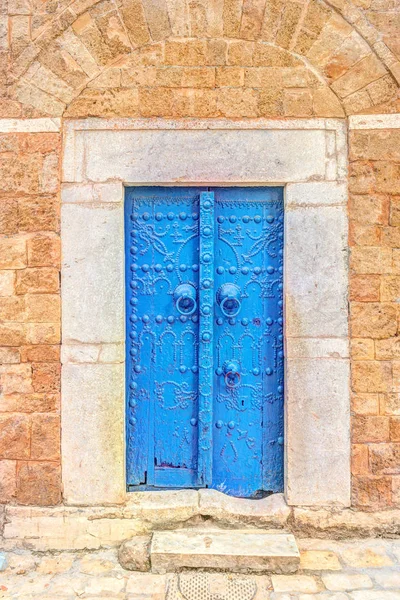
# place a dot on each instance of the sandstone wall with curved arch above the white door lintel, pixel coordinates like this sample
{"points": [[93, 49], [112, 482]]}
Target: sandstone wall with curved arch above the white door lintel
{"points": [[93, 58]]}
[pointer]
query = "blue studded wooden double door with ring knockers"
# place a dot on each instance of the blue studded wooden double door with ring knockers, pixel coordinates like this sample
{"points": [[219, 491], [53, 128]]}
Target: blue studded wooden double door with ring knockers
{"points": [[205, 338]]}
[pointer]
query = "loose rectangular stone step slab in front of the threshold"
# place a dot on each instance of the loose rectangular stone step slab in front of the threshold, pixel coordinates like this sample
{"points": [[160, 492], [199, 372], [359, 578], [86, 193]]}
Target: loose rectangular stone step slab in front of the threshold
{"points": [[239, 550]]}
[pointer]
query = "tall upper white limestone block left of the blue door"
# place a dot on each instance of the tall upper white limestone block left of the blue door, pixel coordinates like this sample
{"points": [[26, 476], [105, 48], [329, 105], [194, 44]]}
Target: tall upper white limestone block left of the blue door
{"points": [[92, 273]]}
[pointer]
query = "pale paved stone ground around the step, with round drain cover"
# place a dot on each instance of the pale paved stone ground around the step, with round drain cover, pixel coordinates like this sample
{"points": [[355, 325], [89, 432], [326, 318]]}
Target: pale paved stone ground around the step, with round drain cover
{"points": [[330, 570]]}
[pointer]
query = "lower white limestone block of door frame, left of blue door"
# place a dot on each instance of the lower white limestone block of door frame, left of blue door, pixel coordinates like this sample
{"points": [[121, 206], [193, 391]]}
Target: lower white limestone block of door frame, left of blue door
{"points": [[93, 433]]}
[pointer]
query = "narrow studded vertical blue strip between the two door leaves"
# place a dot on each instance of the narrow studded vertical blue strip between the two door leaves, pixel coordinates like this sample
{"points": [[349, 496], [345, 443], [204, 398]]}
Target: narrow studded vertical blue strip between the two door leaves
{"points": [[206, 372]]}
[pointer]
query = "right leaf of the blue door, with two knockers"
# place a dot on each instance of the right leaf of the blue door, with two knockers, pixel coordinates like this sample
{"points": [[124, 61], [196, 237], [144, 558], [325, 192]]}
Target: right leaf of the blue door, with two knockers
{"points": [[248, 339]]}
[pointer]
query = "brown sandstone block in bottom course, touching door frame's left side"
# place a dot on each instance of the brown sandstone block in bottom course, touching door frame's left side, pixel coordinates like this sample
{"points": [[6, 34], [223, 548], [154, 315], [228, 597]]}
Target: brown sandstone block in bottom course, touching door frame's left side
{"points": [[38, 483]]}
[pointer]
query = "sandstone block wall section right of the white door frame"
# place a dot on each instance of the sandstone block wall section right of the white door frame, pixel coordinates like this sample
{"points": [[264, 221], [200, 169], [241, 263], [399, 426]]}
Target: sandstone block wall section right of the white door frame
{"points": [[374, 239]]}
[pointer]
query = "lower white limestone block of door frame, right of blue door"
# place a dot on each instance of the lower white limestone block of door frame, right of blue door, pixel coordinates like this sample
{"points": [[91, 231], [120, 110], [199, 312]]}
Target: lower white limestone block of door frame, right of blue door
{"points": [[317, 432]]}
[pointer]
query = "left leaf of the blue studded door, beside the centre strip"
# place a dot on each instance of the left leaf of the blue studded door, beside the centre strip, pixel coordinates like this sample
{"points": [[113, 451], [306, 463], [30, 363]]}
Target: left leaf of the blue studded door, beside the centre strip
{"points": [[163, 348]]}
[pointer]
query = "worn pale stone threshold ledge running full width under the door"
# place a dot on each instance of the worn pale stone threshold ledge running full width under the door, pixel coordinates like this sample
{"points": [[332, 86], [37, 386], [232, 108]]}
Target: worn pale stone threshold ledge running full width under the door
{"points": [[93, 527]]}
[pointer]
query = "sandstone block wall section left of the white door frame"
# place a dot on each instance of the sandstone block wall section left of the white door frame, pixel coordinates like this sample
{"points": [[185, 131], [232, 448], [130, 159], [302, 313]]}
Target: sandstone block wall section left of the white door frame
{"points": [[29, 318]]}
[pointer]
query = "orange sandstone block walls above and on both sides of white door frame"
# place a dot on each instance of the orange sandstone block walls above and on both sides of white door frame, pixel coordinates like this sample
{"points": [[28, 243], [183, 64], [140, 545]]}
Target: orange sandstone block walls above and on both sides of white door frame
{"points": [[206, 59]]}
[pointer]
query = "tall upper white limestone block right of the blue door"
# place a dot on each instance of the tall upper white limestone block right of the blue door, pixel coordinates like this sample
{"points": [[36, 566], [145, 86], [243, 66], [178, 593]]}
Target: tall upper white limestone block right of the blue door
{"points": [[316, 272]]}
